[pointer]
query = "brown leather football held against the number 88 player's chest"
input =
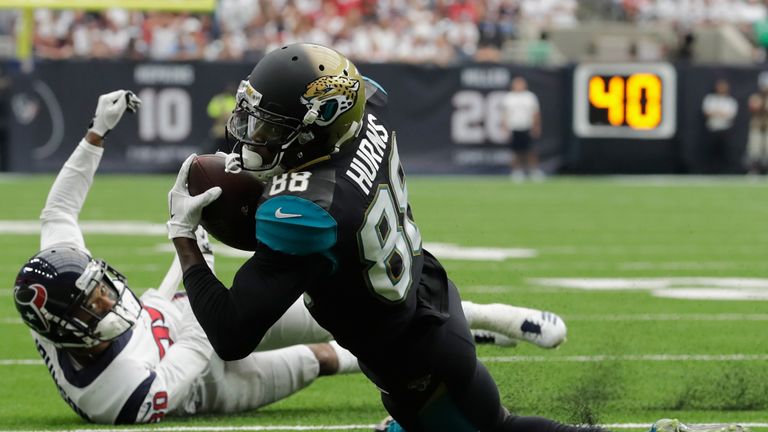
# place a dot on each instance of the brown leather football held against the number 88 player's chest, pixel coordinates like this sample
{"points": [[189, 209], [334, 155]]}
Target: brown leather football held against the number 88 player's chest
{"points": [[231, 219]]}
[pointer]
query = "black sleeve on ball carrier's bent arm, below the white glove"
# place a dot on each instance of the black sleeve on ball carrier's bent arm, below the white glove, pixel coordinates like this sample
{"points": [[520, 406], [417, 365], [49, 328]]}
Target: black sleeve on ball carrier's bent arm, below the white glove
{"points": [[266, 285]]}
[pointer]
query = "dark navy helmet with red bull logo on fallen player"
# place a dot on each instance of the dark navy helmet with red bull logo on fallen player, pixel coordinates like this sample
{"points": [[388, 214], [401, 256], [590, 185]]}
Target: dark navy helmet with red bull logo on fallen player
{"points": [[52, 290]]}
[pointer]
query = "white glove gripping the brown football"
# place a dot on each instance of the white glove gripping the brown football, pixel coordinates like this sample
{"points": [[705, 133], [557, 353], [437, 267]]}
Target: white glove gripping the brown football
{"points": [[186, 209]]}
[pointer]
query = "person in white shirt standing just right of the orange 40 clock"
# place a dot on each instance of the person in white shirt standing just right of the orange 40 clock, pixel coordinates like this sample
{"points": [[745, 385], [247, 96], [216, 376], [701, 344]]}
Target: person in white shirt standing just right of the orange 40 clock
{"points": [[719, 110]]}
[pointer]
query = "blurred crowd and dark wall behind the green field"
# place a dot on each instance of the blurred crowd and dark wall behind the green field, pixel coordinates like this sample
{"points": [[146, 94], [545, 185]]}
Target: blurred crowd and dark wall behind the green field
{"points": [[445, 63]]}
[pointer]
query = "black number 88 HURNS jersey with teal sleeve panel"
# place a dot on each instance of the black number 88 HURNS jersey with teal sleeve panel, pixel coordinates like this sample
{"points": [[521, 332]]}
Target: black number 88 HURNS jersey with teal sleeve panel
{"points": [[352, 208]]}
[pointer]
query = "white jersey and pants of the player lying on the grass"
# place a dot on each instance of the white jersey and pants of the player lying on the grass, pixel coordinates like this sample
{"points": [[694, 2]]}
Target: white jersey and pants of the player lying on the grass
{"points": [[165, 364]]}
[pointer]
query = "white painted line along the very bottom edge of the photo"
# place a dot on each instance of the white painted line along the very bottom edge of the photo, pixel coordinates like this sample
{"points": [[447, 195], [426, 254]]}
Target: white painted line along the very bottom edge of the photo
{"points": [[202, 428]]}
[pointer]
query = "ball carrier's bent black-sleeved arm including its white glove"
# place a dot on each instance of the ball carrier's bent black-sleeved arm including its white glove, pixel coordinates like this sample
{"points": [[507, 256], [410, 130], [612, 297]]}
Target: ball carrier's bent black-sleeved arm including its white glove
{"points": [[264, 287]]}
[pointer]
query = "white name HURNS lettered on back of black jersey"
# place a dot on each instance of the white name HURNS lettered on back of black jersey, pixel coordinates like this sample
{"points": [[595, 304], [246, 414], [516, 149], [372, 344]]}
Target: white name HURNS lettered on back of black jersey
{"points": [[369, 155]]}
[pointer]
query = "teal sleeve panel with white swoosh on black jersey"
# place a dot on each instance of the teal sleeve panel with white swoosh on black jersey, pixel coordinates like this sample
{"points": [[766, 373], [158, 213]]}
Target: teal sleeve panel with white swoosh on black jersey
{"points": [[295, 226]]}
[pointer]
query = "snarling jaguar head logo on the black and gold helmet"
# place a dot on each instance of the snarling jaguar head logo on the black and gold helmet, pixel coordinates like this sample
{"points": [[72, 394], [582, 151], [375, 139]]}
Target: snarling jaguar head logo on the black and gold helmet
{"points": [[334, 95]]}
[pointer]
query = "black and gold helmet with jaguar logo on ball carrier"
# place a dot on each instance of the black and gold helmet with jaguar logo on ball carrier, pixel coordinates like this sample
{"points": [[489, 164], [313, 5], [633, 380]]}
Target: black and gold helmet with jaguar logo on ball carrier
{"points": [[301, 102]]}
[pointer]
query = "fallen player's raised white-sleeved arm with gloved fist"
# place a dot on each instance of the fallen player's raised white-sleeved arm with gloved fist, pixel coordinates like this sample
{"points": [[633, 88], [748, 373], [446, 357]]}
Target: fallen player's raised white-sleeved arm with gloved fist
{"points": [[67, 195]]}
